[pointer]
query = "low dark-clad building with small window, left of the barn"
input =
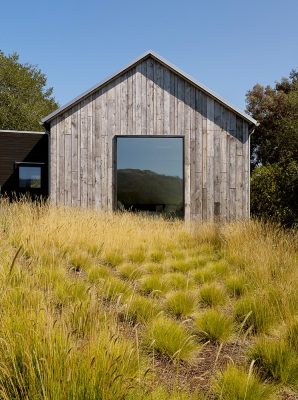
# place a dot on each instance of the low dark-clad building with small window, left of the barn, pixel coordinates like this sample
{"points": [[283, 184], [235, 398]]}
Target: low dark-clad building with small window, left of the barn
{"points": [[23, 163]]}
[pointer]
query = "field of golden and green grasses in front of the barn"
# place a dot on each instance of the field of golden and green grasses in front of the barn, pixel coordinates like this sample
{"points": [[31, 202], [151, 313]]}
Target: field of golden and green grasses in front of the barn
{"points": [[119, 306]]}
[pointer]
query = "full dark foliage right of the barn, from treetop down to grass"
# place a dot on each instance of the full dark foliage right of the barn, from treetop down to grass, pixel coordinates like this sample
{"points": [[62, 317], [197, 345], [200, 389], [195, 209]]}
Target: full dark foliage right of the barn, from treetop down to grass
{"points": [[274, 149]]}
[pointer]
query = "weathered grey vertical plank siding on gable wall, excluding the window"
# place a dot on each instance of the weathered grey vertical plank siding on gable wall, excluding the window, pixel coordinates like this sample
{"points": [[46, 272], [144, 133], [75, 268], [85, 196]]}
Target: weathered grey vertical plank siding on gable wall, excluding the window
{"points": [[150, 99]]}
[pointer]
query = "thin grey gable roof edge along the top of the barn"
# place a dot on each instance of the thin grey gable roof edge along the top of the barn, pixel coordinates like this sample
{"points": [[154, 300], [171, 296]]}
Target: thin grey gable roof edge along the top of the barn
{"points": [[165, 63]]}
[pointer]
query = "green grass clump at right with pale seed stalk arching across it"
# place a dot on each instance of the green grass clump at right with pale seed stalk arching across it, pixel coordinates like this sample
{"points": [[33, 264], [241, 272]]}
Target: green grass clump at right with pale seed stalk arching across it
{"points": [[254, 314]]}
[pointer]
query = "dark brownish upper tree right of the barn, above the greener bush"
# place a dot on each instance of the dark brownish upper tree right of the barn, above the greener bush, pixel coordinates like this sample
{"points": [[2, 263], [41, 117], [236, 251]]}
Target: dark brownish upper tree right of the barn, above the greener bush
{"points": [[276, 111]]}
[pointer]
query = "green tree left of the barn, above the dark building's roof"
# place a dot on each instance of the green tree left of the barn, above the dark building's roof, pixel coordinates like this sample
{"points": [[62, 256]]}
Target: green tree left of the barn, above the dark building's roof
{"points": [[24, 97]]}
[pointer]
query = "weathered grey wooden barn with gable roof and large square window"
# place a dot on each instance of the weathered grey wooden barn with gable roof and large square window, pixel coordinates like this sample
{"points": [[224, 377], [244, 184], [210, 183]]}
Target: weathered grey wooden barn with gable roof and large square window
{"points": [[106, 148]]}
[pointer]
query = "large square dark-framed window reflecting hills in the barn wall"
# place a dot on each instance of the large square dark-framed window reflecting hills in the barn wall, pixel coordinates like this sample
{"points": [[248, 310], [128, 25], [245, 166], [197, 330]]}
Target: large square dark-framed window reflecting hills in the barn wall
{"points": [[150, 175]]}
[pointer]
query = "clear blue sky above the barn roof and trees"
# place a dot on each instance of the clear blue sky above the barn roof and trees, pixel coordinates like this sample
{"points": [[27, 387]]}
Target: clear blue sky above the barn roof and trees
{"points": [[228, 45]]}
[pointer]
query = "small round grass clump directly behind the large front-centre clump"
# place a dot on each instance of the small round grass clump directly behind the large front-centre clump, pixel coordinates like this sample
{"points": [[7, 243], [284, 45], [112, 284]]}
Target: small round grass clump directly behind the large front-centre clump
{"points": [[181, 303]]}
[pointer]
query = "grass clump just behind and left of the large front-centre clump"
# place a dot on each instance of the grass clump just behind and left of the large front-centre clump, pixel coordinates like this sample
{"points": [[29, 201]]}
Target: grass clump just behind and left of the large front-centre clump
{"points": [[141, 309]]}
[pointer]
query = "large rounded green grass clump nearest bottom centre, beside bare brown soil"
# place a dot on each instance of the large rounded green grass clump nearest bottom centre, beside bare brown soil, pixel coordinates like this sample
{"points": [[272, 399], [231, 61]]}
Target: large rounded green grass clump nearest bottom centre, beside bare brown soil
{"points": [[170, 339]]}
